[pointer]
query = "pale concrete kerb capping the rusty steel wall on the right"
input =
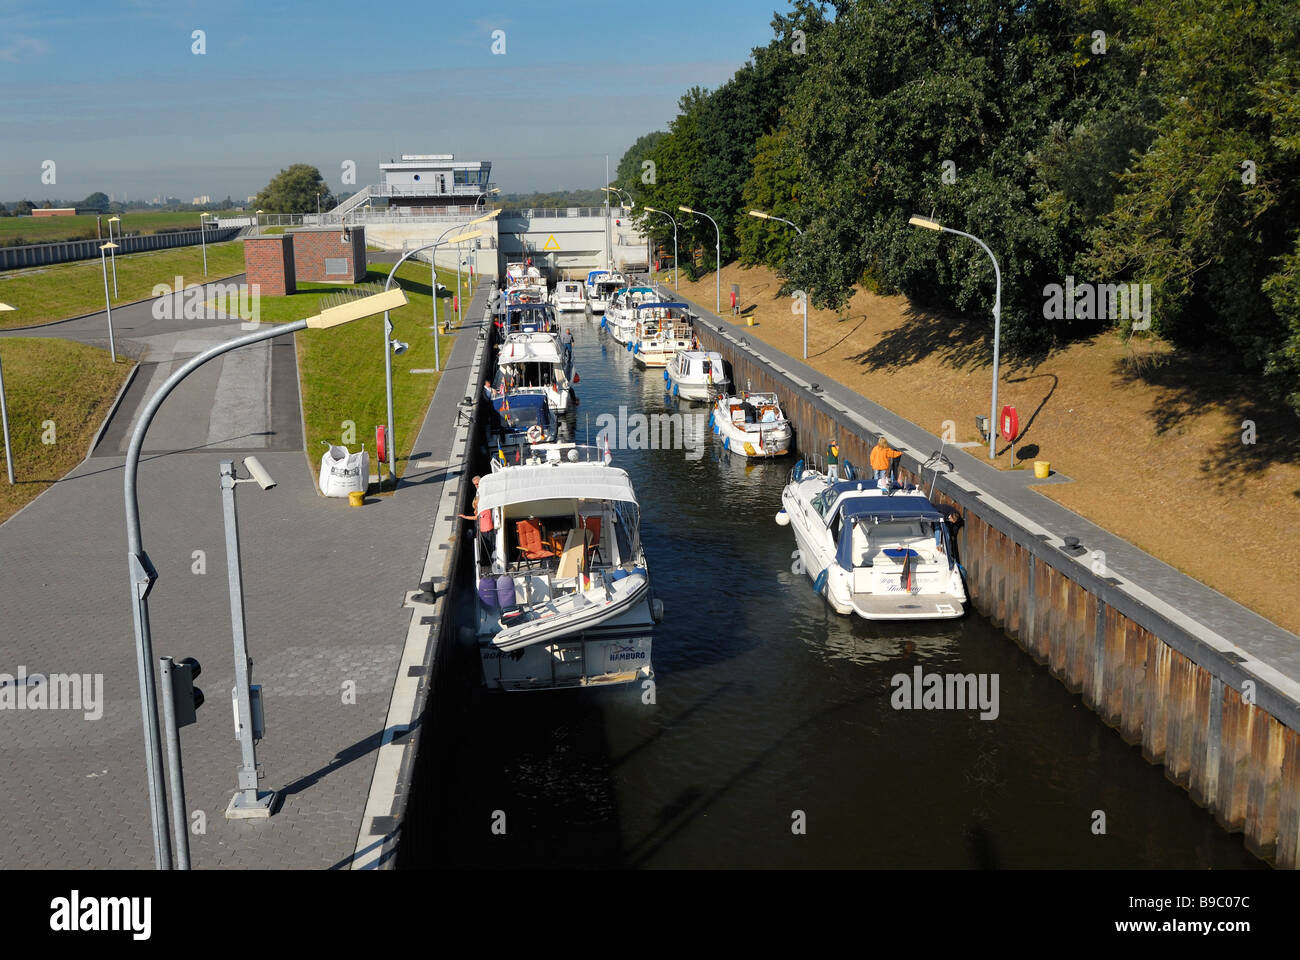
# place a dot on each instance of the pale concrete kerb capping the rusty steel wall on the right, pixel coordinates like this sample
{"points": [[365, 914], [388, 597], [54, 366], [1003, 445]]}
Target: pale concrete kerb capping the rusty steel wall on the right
{"points": [[1277, 694]]}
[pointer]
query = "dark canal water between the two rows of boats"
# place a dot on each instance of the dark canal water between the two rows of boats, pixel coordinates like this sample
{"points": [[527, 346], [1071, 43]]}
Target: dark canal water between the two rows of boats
{"points": [[772, 740]]}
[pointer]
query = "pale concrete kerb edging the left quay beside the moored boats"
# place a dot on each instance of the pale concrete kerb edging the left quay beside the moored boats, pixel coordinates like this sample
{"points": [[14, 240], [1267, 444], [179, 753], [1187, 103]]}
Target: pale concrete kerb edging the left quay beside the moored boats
{"points": [[387, 803]]}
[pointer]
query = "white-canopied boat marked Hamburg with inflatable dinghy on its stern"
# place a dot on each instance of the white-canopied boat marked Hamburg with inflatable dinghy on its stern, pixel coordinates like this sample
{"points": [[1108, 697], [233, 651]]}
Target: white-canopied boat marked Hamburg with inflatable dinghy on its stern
{"points": [[564, 595]]}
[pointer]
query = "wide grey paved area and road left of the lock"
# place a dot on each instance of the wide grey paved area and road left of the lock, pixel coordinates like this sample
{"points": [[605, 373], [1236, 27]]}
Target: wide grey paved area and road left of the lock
{"points": [[324, 596]]}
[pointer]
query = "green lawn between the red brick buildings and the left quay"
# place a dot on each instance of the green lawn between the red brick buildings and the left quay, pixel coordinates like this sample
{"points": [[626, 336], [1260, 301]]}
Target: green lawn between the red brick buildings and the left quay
{"points": [[341, 371]]}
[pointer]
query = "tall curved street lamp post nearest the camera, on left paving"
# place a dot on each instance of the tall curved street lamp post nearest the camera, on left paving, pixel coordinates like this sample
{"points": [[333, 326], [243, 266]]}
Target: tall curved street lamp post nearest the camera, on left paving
{"points": [[142, 573]]}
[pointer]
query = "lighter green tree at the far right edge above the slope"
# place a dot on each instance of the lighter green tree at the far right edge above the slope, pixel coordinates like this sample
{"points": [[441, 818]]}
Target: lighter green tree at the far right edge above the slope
{"points": [[1208, 214]]}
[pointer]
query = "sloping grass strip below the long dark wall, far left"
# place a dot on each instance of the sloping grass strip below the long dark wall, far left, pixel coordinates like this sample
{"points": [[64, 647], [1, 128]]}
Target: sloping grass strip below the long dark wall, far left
{"points": [[71, 289]]}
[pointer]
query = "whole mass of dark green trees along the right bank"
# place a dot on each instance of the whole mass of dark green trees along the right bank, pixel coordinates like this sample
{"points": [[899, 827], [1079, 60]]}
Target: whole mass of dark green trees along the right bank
{"points": [[1110, 141]]}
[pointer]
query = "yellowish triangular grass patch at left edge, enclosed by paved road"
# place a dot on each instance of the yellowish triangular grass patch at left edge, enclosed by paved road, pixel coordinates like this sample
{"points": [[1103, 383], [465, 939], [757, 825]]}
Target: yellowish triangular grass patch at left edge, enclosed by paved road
{"points": [[60, 382]]}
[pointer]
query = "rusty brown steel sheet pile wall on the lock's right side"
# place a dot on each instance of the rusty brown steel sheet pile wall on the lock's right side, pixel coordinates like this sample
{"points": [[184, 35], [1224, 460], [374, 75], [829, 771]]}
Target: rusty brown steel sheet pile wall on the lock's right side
{"points": [[1164, 690]]}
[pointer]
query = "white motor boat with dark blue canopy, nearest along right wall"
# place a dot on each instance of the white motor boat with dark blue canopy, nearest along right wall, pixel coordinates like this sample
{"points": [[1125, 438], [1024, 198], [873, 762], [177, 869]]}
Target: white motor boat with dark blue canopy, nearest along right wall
{"points": [[881, 555]]}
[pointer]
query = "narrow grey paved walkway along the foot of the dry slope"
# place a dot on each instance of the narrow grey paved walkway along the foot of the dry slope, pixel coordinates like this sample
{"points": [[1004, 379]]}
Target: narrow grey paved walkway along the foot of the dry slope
{"points": [[1271, 652]]}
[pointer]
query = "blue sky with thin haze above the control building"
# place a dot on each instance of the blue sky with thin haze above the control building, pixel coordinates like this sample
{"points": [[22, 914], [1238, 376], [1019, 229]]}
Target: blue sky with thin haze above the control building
{"points": [[115, 96]]}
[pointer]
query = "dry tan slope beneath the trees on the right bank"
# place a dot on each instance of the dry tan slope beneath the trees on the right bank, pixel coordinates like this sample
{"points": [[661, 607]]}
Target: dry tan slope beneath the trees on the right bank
{"points": [[1154, 443]]}
